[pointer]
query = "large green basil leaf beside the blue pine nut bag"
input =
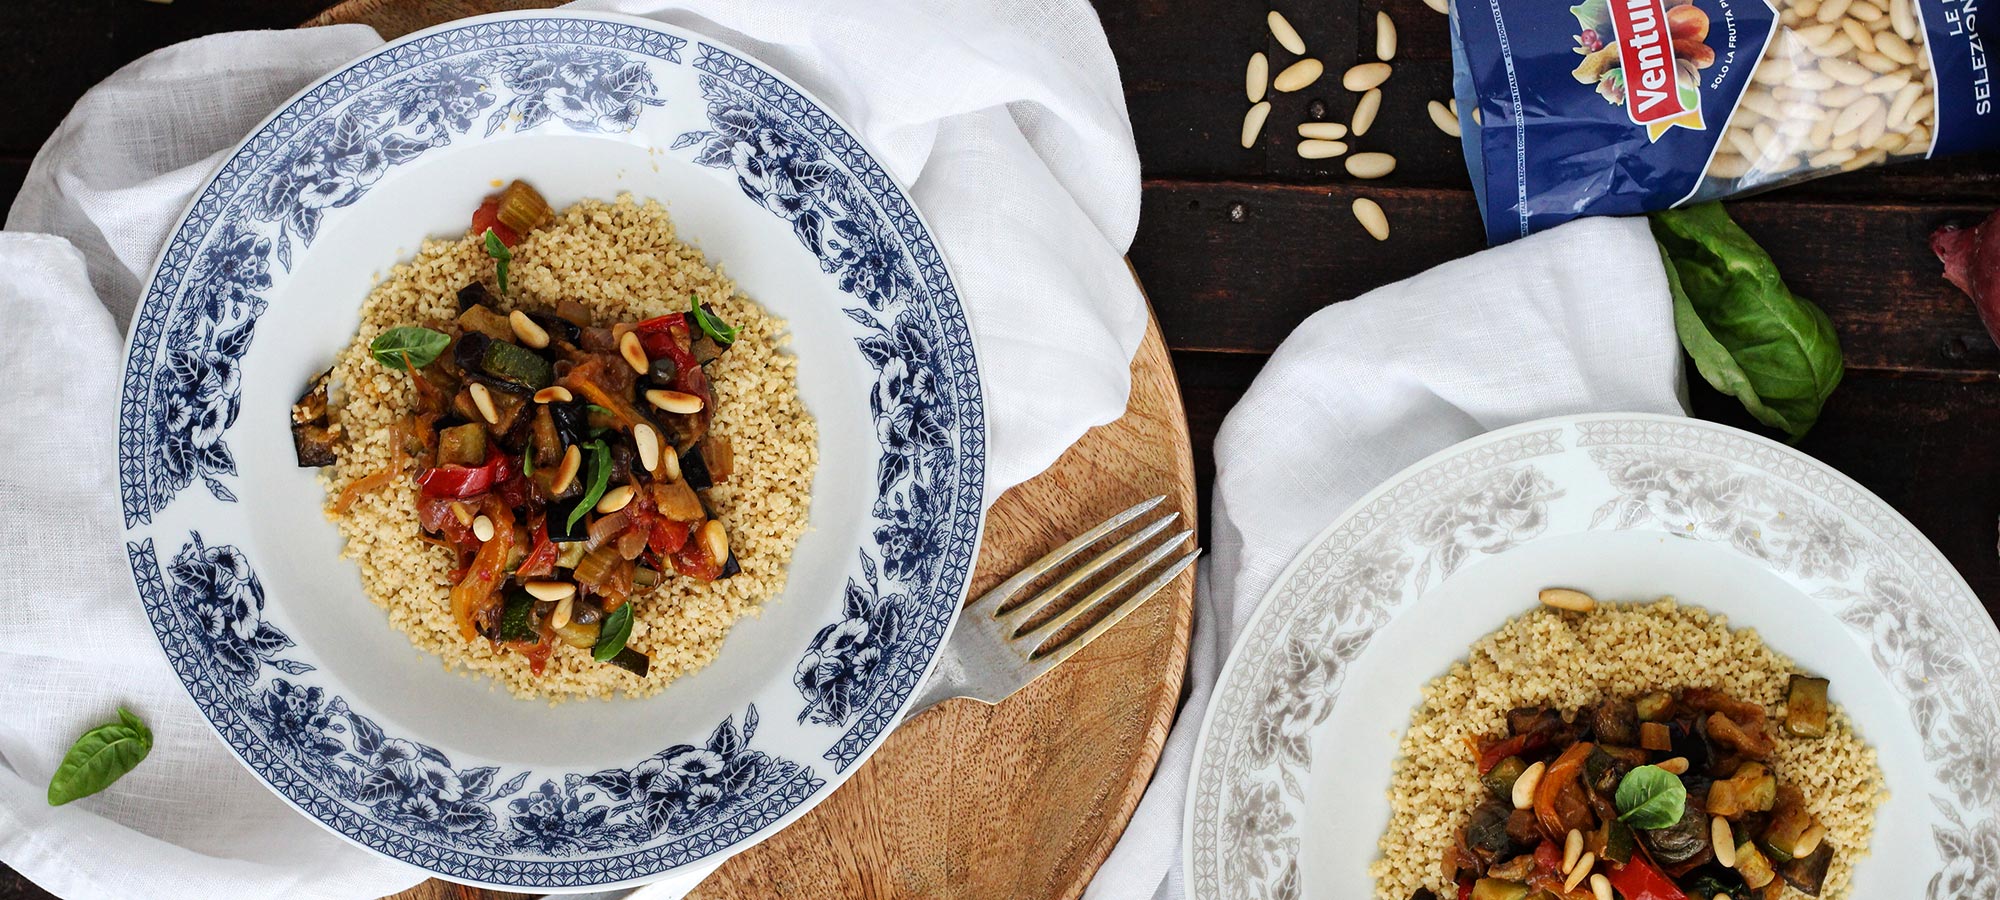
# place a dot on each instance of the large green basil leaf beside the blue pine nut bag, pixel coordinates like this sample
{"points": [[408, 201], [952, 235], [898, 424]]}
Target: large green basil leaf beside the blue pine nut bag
{"points": [[1749, 335]]}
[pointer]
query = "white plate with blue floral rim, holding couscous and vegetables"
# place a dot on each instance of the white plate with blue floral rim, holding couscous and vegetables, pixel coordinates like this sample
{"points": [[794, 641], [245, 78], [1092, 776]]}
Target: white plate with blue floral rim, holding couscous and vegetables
{"points": [[243, 579]]}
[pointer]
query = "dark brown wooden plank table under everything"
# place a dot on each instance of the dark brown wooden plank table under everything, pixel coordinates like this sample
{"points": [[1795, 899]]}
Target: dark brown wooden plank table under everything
{"points": [[1237, 247]]}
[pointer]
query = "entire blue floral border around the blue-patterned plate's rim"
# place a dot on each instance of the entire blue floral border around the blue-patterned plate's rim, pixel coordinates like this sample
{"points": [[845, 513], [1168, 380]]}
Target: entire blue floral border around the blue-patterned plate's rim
{"points": [[183, 393]]}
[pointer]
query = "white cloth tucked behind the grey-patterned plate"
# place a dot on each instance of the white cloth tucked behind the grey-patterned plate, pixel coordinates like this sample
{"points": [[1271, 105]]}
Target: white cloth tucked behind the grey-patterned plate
{"points": [[1569, 321]]}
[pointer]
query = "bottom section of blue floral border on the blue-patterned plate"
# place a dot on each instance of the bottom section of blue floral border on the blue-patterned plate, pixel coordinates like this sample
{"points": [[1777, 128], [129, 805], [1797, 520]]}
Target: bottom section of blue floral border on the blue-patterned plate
{"points": [[405, 797]]}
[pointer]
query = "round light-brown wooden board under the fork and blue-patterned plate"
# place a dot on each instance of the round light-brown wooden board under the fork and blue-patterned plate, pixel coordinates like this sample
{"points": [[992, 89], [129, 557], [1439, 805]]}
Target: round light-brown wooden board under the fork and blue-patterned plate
{"points": [[1019, 801]]}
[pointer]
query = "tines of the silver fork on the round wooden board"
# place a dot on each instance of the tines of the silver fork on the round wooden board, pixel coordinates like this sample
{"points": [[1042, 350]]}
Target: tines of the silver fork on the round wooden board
{"points": [[1019, 617]]}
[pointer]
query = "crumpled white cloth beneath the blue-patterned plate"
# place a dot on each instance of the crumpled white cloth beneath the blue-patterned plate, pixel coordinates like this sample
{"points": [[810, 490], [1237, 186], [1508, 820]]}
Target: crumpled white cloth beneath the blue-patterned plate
{"points": [[1005, 119]]}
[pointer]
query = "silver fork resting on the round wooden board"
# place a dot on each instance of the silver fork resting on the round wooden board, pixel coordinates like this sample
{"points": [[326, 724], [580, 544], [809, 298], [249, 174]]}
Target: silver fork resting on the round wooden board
{"points": [[995, 653]]}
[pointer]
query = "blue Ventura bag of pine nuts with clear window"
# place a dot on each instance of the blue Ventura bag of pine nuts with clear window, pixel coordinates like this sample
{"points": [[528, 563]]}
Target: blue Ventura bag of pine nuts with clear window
{"points": [[1625, 107]]}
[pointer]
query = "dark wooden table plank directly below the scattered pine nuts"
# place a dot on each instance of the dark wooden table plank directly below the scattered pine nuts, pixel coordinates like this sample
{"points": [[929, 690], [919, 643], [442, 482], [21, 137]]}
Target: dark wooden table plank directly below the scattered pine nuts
{"points": [[1237, 267]]}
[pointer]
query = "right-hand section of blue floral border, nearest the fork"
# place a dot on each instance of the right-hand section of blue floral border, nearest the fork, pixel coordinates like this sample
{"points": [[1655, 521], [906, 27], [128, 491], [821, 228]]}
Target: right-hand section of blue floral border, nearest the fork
{"points": [[791, 159]]}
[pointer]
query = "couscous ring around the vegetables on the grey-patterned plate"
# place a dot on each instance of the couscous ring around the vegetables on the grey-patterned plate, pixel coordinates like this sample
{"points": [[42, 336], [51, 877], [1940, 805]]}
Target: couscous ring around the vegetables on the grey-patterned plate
{"points": [[1573, 661]]}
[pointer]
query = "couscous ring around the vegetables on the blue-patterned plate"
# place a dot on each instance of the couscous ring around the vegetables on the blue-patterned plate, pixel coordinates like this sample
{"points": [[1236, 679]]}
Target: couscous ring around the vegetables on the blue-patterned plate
{"points": [[623, 263]]}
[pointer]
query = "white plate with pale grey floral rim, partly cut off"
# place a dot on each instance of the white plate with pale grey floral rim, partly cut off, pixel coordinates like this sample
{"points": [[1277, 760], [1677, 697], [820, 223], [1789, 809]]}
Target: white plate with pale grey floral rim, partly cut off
{"points": [[1293, 767]]}
